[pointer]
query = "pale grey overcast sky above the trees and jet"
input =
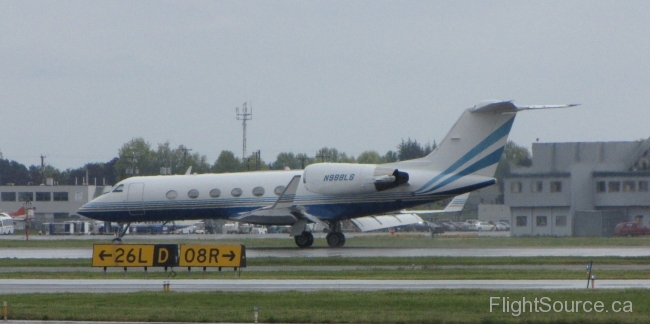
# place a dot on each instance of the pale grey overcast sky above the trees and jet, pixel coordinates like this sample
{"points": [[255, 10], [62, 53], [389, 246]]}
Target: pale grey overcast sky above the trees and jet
{"points": [[78, 79]]}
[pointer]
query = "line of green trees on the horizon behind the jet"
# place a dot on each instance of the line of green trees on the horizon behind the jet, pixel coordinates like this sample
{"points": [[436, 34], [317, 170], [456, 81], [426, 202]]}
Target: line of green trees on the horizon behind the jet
{"points": [[139, 157]]}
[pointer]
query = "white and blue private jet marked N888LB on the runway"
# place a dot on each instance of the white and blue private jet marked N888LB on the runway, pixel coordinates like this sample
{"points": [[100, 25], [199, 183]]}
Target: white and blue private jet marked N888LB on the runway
{"points": [[324, 193]]}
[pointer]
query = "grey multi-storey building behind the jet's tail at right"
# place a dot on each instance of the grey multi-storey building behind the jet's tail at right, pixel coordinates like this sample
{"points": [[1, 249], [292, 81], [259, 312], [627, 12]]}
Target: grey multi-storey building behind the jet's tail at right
{"points": [[580, 189]]}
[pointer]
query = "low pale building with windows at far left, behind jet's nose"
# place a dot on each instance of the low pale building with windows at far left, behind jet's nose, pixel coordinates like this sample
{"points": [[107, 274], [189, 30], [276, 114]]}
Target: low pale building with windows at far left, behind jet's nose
{"points": [[51, 203]]}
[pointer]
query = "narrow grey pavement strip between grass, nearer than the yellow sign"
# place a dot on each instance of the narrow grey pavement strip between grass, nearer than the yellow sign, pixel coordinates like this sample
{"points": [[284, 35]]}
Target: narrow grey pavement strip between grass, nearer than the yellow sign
{"points": [[25, 286]]}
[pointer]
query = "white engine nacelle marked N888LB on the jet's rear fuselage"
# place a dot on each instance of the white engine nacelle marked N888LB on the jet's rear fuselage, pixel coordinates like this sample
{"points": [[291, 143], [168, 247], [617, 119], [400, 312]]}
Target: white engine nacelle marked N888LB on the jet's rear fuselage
{"points": [[346, 178]]}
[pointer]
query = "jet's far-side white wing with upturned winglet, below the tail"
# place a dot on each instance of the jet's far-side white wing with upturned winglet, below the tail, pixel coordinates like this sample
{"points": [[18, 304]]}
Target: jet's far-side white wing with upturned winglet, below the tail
{"points": [[406, 217]]}
